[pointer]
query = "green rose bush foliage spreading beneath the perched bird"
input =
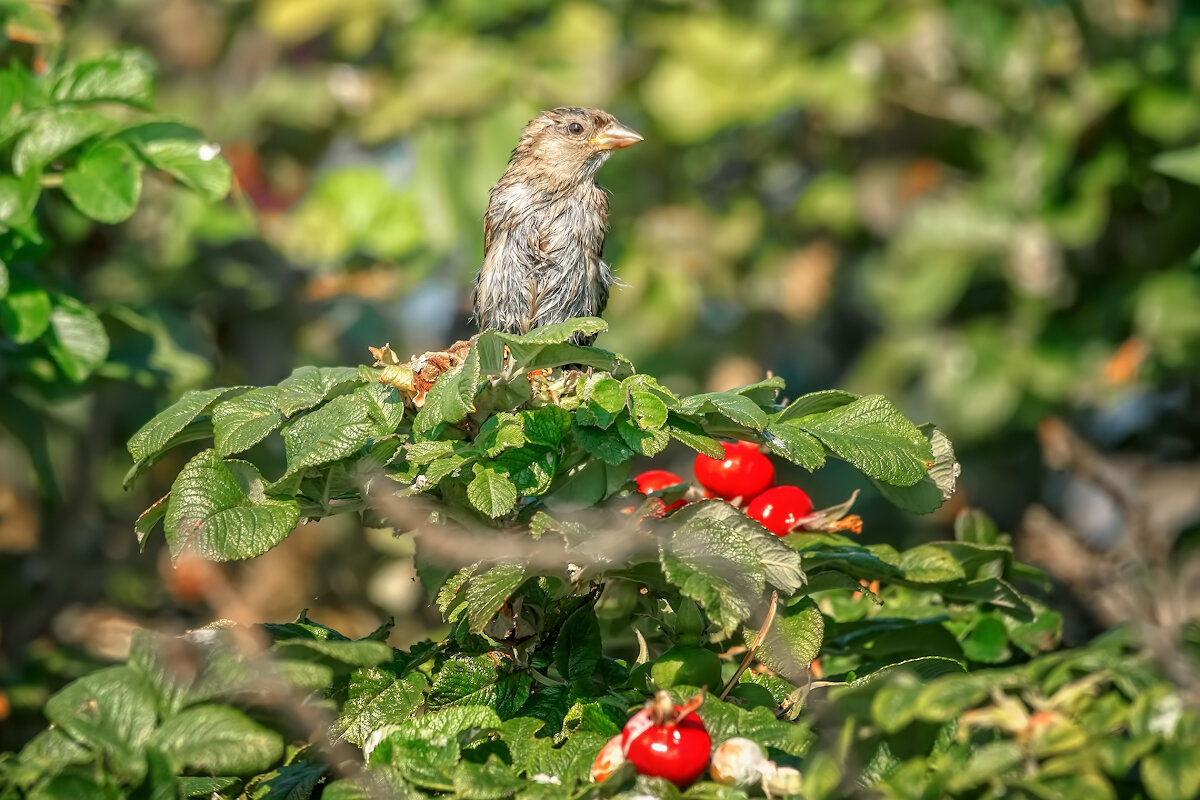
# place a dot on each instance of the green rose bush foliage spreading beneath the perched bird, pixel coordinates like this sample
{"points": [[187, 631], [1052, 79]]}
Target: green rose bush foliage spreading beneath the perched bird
{"points": [[518, 460]]}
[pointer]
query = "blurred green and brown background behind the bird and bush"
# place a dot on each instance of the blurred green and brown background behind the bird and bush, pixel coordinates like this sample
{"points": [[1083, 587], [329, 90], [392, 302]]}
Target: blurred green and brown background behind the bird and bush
{"points": [[959, 204]]}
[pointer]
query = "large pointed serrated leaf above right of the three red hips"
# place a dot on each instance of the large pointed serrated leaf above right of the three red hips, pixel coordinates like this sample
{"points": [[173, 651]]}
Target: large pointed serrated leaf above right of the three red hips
{"points": [[873, 436]]}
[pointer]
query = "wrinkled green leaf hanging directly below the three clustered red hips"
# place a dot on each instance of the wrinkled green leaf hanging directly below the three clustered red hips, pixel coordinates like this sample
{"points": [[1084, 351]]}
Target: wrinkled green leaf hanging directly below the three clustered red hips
{"points": [[711, 563]]}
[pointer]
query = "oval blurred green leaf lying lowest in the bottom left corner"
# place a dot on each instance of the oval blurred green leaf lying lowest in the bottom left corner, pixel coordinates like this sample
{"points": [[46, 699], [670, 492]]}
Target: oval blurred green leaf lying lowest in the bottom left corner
{"points": [[219, 739]]}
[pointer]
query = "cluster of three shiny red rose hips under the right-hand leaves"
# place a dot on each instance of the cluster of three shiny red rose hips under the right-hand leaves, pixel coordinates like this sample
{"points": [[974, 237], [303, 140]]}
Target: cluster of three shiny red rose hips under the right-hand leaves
{"points": [[746, 476]]}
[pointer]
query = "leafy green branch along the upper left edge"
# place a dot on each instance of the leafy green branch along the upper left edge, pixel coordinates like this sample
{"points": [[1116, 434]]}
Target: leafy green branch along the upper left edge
{"points": [[85, 129]]}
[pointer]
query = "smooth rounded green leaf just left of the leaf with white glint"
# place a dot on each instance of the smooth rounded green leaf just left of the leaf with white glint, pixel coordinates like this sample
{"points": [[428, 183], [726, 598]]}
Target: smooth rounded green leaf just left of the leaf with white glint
{"points": [[106, 183]]}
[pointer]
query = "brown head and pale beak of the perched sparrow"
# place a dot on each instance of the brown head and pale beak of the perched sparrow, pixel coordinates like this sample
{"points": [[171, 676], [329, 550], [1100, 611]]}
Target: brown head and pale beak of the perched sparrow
{"points": [[565, 147]]}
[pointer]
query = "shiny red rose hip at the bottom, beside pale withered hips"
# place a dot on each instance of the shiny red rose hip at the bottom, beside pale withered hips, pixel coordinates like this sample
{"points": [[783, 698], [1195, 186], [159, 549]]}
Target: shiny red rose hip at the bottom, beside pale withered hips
{"points": [[676, 748]]}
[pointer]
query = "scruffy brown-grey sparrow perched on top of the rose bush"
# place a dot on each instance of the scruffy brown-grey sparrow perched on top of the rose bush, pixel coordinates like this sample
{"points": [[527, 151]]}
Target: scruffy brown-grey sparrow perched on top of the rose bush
{"points": [[545, 225]]}
